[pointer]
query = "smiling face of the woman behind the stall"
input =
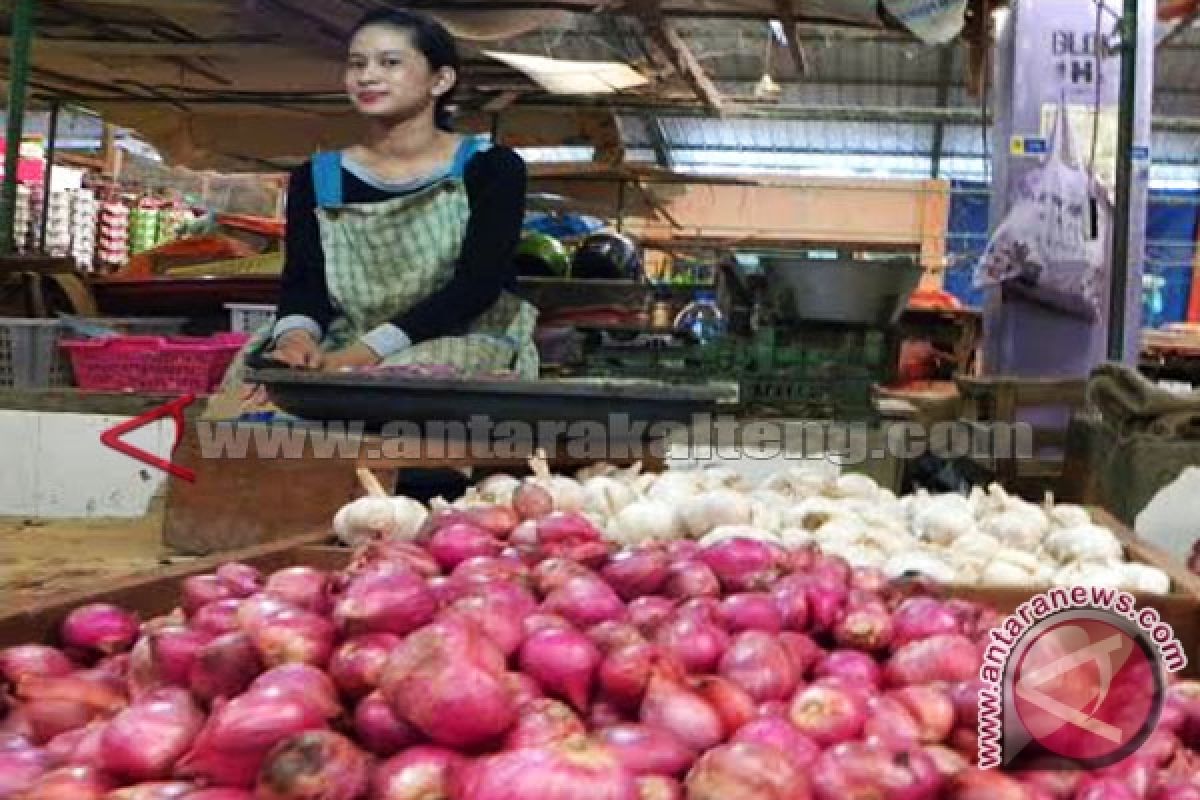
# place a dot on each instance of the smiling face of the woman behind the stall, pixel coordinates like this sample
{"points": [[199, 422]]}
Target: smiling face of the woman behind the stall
{"points": [[387, 77]]}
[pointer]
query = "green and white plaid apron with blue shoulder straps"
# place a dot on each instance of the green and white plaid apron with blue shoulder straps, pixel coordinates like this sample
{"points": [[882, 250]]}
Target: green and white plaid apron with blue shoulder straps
{"points": [[383, 258]]}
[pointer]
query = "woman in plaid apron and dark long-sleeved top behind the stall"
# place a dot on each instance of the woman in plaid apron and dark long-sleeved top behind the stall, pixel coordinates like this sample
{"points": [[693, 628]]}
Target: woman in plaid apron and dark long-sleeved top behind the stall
{"points": [[400, 249]]}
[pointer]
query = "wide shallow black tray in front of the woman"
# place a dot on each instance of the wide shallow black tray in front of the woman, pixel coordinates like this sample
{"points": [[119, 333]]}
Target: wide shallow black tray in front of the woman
{"points": [[380, 400]]}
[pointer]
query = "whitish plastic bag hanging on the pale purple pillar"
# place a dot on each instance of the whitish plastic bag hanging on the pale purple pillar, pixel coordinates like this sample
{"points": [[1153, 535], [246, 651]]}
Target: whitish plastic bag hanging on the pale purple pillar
{"points": [[1054, 240]]}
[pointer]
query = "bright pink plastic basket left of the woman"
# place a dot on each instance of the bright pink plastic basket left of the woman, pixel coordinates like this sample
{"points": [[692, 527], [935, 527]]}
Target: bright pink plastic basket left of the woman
{"points": [[157, 364]]}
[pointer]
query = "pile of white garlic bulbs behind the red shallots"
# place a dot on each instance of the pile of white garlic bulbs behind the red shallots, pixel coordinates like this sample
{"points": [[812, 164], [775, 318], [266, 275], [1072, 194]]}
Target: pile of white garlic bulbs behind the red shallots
{"points": [[988, 538]]}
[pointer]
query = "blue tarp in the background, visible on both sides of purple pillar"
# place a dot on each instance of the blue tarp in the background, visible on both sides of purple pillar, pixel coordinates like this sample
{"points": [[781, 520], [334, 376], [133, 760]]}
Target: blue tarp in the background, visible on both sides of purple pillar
{"points": [[1171, 246]]}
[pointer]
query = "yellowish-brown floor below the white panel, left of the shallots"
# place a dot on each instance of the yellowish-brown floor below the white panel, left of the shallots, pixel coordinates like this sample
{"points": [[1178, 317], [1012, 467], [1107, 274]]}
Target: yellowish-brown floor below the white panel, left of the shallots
{"points": [[40, 560]]}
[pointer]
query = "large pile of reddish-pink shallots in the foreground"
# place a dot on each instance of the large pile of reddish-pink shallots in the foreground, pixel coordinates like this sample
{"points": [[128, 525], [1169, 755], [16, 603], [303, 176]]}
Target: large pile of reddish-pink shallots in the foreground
{"points": [[503, 658]]}
